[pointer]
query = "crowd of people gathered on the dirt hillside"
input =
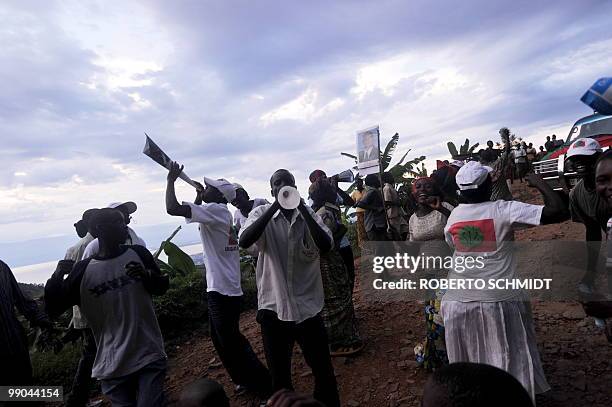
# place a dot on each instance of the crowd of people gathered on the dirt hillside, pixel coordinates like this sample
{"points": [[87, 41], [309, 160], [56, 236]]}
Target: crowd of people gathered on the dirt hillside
{"points": [[305, 275]]}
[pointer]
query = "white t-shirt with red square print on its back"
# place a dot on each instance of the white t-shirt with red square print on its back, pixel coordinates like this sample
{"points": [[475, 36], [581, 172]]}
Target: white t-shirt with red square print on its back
{"points": [[487, 230]]}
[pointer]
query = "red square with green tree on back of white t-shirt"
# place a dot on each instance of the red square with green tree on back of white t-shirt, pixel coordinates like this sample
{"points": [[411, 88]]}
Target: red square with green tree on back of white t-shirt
{"points": [[474, 236]]}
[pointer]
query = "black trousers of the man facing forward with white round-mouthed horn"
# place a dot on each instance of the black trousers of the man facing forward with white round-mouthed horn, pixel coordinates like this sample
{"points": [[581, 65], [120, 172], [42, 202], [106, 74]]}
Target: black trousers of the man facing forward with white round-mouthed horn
{"points": [[279, 338]]}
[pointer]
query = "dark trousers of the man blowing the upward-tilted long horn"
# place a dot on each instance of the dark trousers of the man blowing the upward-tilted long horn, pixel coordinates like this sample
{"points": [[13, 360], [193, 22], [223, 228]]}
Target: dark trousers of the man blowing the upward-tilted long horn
{"points": [[234, 350]]}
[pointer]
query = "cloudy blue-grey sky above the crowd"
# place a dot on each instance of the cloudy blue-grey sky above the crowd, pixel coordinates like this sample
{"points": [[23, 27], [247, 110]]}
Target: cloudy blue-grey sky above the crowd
{"points": [[237, 89]]}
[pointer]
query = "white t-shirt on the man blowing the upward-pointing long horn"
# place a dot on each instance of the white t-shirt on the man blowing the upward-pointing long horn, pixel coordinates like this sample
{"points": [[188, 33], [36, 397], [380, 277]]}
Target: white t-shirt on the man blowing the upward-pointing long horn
{"points": [[222, 257]]}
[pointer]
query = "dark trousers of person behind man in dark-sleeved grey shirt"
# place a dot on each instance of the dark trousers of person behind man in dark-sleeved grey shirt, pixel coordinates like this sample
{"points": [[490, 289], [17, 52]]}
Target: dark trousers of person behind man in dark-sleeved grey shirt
{"points": [[79, 395]]}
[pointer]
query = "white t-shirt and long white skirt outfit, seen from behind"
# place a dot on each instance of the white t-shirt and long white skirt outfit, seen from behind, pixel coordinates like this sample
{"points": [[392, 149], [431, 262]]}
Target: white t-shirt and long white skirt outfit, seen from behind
{"points": [[489, 326]]}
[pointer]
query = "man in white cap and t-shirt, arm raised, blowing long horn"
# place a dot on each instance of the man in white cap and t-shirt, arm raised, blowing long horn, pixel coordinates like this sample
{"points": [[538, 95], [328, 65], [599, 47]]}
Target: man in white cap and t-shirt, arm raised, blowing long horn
{"points": [[224, 293]]}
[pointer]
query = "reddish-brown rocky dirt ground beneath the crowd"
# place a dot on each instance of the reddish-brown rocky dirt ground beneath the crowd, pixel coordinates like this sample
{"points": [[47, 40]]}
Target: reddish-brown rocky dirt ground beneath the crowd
{"points": [[576, 356]]}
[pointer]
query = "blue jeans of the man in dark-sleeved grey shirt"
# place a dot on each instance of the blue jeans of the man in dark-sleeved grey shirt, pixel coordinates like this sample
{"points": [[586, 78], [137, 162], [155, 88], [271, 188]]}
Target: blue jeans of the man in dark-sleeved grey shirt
{"points": [[143, 388]]}
